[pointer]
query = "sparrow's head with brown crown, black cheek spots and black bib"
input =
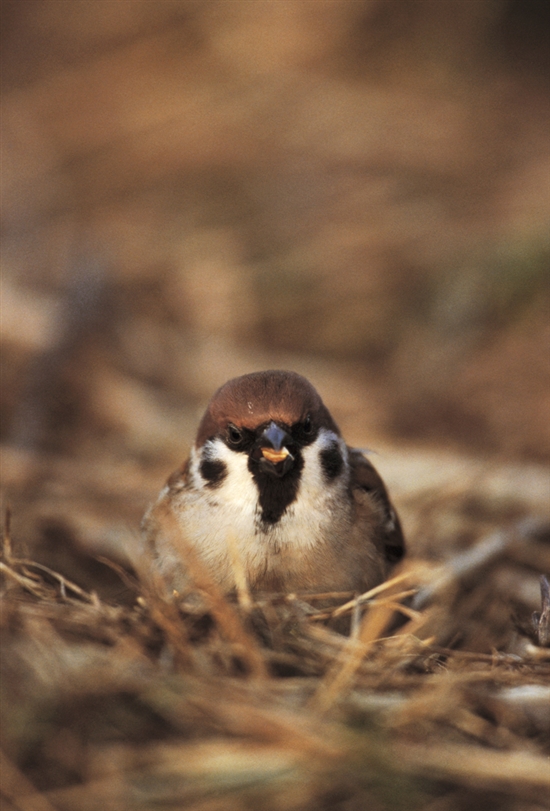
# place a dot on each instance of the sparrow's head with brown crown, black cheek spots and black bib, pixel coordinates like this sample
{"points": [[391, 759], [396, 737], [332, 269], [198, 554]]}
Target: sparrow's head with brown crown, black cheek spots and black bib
{"points": [[270, 418]]}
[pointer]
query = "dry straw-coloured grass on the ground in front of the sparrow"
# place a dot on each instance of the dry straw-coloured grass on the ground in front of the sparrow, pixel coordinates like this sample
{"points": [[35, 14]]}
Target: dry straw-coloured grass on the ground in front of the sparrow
{"points": [[199, 702]]}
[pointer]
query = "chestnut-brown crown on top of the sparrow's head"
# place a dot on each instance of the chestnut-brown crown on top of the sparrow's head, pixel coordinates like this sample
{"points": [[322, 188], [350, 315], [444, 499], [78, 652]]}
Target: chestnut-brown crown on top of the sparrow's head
{"points": [[251, 400]]}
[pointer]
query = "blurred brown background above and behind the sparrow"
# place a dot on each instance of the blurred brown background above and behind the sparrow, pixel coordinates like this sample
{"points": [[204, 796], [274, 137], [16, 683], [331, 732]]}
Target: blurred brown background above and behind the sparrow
{"points": [[357, 190]]}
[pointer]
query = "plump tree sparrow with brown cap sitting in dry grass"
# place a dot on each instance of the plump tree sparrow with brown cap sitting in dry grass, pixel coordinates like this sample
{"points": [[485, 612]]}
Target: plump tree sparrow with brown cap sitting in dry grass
{"points": [[271, 483]]}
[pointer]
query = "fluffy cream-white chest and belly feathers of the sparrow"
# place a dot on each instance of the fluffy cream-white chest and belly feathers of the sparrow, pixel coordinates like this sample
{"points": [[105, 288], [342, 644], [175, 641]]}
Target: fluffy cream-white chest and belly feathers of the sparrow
{"points": [[229, 517]]}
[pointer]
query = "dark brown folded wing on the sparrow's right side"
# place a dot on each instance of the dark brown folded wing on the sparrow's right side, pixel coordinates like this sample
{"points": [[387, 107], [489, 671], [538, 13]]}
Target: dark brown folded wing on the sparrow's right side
{"points": [[365, 479]]}
